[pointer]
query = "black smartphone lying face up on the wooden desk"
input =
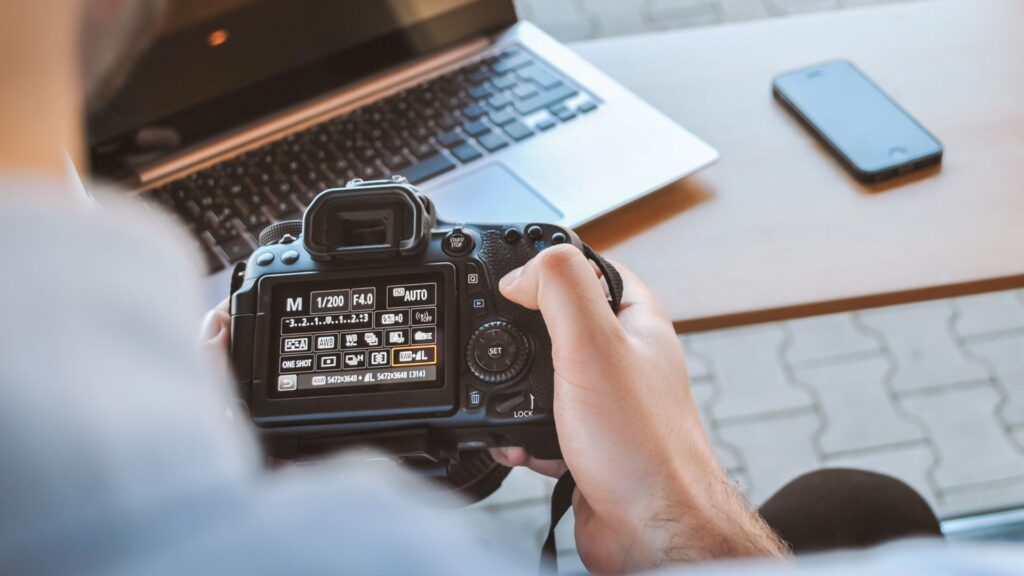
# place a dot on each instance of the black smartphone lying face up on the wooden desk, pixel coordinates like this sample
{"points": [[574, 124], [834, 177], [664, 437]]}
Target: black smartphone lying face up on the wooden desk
{"points": [[865, 129]]}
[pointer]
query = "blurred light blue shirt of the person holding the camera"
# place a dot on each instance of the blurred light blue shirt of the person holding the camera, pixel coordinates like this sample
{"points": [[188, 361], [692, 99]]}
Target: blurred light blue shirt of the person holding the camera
{"points": [[118, 458]]}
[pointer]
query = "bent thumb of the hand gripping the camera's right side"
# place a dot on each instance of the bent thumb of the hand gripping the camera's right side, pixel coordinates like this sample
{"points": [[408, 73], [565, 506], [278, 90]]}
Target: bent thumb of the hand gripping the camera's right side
{"points": [[562, 284]]}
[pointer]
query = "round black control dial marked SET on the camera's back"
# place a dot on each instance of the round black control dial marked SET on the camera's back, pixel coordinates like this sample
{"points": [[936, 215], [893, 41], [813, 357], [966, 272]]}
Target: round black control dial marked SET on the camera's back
{"points": [[497, 352]]}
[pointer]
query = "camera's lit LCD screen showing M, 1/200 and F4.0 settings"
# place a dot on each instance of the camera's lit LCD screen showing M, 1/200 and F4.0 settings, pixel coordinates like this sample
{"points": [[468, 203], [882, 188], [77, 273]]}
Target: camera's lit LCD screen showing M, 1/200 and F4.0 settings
{"points": [[358, 336]]}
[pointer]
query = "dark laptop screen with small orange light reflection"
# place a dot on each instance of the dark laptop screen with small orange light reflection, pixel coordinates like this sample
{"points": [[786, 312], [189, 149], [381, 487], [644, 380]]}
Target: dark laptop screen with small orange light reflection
{"points": [[217, 65]]}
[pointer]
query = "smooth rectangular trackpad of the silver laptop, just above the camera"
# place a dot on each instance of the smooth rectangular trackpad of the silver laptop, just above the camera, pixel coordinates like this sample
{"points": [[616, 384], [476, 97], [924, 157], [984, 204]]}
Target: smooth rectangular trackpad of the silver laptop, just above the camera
{"points": [[492, 194]]}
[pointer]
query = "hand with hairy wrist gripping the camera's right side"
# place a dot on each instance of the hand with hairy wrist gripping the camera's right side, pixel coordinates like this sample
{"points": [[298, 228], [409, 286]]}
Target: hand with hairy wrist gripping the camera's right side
{"points": [[650, 488]]}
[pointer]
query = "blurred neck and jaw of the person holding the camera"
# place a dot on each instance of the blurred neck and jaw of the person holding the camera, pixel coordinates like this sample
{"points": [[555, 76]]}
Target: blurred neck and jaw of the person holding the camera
{"points": [[58, 60]]}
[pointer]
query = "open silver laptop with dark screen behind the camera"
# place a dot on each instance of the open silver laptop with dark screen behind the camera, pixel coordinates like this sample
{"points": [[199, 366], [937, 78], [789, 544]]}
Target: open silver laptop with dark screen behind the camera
{"points": [[242, 111]]}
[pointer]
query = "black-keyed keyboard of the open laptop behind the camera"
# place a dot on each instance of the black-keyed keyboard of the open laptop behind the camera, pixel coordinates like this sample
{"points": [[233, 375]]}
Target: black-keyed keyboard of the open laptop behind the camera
{"points": [[420, 133]]}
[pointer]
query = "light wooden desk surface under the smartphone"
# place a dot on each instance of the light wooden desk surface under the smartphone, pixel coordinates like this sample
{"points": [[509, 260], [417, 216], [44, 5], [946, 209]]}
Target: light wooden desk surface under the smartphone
{"points": [[778, 229]]}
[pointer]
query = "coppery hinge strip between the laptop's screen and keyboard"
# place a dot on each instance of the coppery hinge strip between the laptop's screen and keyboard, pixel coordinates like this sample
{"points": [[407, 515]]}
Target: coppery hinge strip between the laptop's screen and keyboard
{"points": [[308, 114]]}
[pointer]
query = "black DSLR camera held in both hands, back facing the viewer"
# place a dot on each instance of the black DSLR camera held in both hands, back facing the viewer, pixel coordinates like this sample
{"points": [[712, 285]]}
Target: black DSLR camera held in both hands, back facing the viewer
{"points": [[373, 323]]}
